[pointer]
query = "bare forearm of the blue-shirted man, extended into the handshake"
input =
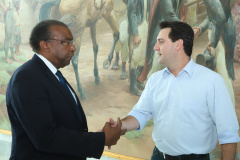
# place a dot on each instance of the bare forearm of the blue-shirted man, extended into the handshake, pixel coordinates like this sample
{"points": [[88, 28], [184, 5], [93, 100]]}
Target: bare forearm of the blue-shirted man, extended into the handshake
{"points": [[130, 123]]}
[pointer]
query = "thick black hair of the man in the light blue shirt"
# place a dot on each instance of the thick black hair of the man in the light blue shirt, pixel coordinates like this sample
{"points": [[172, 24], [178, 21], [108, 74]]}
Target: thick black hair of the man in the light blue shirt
{"points": [[180, 30]]}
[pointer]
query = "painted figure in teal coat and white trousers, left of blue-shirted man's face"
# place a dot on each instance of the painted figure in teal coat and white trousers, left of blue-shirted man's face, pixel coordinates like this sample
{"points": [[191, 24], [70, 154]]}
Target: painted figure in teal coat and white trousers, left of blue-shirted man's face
{"points": [[138, 26]]}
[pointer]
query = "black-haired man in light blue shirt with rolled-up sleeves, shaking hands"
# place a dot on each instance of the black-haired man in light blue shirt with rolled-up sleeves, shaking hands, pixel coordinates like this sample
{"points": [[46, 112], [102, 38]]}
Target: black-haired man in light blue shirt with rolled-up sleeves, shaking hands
{"points": [[190, 104]]}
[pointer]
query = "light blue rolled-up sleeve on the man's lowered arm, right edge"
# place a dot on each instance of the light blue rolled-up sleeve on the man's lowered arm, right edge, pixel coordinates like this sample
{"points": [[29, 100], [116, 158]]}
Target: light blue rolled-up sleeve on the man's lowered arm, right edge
{"points": [[222, 112]]}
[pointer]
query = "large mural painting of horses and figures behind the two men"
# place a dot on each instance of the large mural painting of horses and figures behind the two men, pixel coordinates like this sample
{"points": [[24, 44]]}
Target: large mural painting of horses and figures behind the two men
{"points": [[115, 56]]}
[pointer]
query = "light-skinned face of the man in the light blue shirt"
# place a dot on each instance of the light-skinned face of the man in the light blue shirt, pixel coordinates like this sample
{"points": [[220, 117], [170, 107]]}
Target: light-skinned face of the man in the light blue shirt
{"points": [[165, 47]]}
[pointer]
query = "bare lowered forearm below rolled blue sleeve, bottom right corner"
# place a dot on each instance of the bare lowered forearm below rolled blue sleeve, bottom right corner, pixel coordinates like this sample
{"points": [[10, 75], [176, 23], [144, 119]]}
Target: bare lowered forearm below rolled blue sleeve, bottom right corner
{"points": [[229, 151]]}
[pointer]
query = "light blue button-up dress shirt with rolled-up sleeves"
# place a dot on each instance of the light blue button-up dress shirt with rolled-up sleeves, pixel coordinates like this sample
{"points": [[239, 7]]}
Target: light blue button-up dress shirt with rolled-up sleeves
{"points": [[190, 112]]}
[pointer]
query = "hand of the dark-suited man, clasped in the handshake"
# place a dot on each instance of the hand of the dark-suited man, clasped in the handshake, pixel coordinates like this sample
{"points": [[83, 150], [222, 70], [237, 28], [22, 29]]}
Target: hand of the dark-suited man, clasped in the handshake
{"points": [[112, 134]]}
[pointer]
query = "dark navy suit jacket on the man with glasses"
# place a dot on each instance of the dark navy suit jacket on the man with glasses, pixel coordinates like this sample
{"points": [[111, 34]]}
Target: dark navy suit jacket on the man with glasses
{"points": [[44, 122]]}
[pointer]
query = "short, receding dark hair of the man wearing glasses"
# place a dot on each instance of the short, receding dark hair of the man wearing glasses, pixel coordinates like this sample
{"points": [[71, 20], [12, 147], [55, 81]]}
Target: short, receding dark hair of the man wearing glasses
{"points": [[42, 32]]}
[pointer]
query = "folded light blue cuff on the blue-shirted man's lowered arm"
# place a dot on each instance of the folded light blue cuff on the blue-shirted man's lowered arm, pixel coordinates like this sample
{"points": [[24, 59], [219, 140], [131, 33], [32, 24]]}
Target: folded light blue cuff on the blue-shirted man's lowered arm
{"points": [[228, 137]]}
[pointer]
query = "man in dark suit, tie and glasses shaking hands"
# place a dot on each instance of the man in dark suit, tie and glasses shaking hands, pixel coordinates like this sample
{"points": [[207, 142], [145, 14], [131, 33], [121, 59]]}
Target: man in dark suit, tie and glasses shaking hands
{"points": [[46, 116]]}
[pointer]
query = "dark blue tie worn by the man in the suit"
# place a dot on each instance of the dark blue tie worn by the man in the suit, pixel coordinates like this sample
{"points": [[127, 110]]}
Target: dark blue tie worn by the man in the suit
{"points": [[64, 84]]}
